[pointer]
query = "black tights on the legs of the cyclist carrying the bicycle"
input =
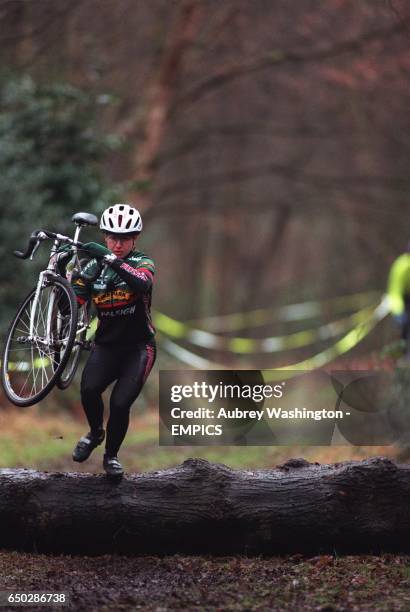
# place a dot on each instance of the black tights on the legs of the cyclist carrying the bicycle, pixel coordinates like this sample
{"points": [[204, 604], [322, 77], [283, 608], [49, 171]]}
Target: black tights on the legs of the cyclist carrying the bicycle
{"points": [[129, 366]]}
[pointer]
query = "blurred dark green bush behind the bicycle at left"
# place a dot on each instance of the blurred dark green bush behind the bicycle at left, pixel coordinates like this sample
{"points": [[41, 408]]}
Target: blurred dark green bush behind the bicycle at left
{"points": [[51, 154]]}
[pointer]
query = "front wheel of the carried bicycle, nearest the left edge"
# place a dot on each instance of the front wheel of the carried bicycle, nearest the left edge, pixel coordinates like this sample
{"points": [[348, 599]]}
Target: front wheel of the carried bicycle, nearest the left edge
{"points": [[29, 369]]}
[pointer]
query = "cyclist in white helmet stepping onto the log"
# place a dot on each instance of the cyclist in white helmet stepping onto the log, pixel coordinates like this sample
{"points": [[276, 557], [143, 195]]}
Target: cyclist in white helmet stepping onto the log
{"points": [[124, 349]]}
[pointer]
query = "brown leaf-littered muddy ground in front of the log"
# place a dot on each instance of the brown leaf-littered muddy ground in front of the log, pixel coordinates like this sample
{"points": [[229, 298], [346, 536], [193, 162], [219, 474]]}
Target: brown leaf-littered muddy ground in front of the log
{"points": [[162, 584]]}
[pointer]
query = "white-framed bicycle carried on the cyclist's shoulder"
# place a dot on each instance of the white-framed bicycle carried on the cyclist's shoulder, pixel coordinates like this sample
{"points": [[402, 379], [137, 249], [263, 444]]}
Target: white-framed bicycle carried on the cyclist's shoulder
{"points": [[49, 331]]}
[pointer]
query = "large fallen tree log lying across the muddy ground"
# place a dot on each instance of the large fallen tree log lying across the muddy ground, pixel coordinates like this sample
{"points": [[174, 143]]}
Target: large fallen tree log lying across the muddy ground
{"points": [[199, 507]]}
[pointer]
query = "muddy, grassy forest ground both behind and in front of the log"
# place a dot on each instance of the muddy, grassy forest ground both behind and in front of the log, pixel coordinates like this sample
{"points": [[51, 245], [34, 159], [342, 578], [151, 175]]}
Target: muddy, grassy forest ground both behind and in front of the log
{"points": [[111, 582]]}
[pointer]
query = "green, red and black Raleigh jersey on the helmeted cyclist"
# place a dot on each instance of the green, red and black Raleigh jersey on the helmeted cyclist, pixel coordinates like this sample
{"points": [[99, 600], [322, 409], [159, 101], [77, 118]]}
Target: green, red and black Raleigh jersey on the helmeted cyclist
{"points": [[122, 297]]}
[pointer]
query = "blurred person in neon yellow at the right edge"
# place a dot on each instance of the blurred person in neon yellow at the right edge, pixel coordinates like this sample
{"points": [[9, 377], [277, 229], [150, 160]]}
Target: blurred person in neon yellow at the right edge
{"points": [[398, 291]]}
